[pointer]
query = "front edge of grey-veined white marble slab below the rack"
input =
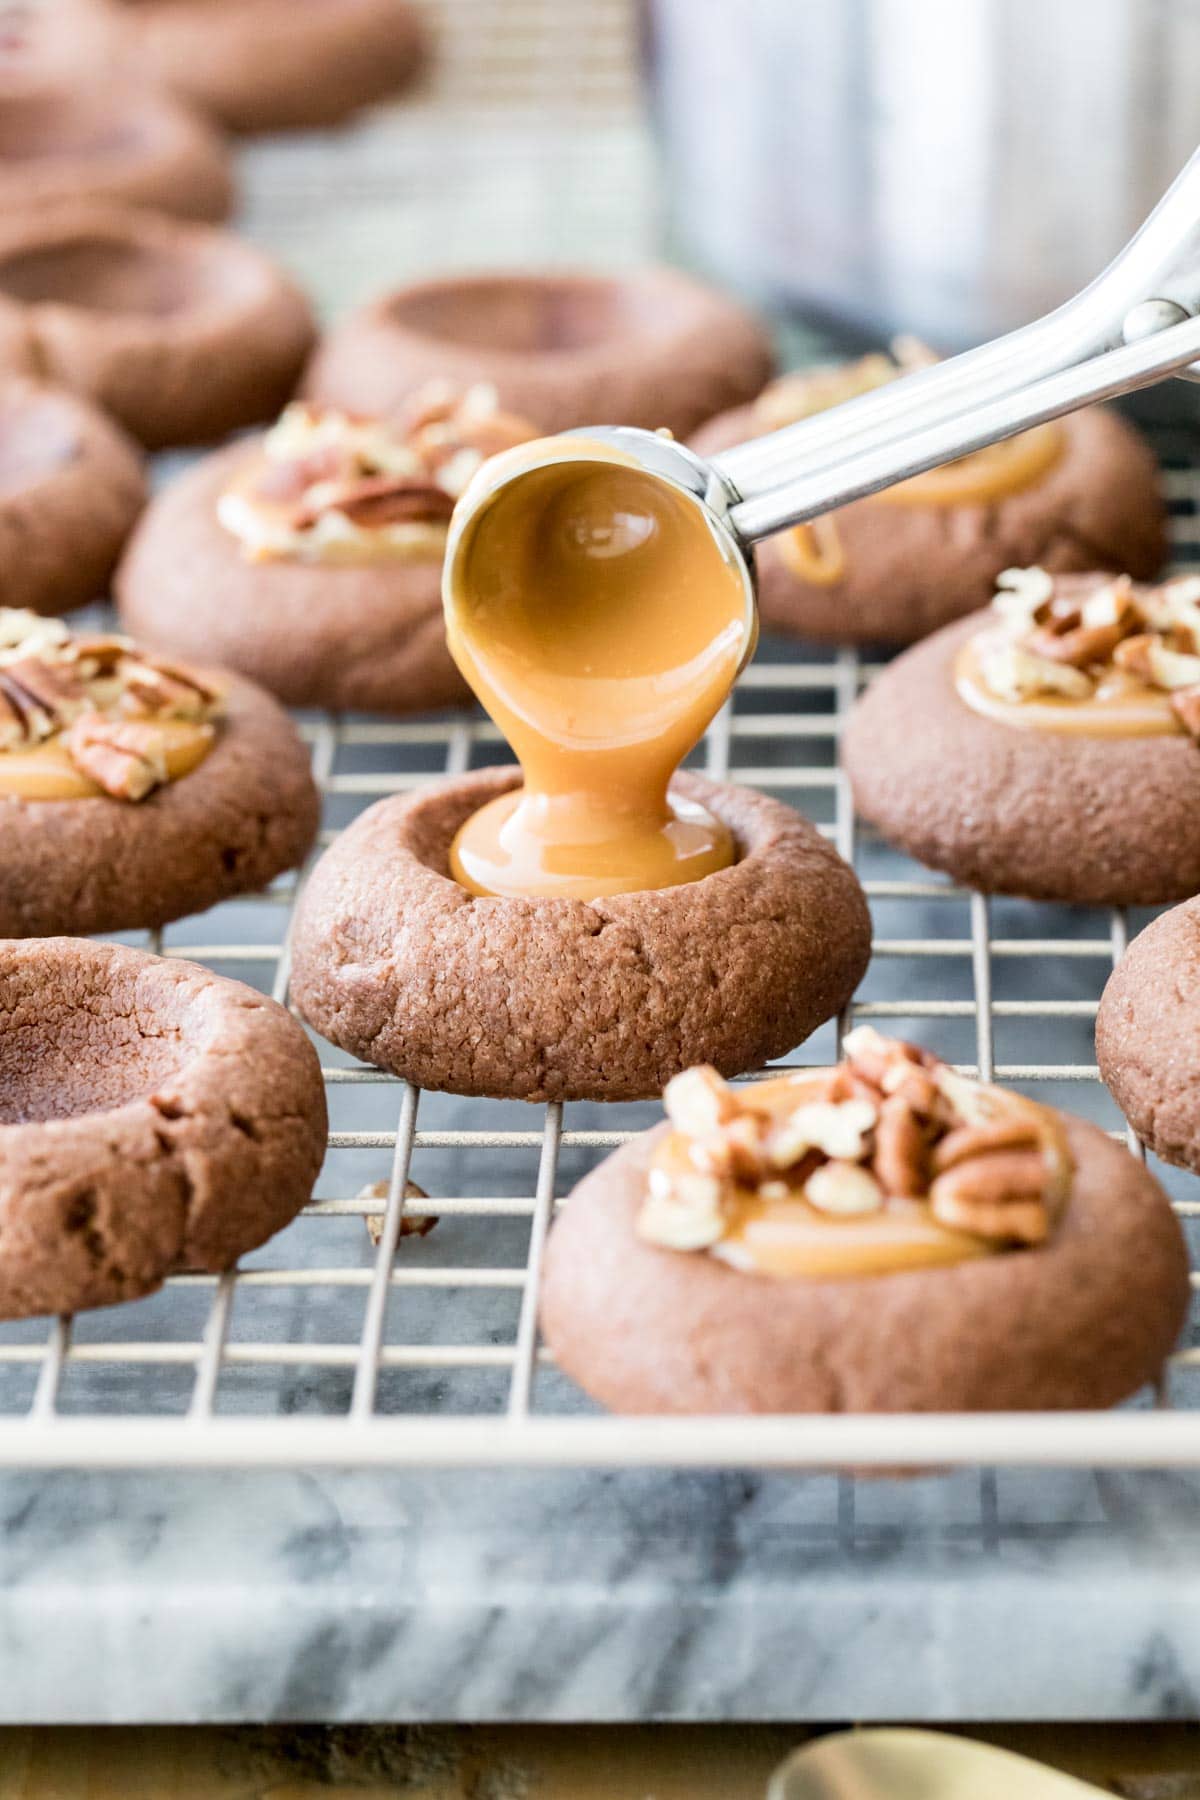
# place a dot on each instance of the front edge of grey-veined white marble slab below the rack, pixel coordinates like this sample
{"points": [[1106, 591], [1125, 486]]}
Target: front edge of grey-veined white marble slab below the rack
{"points": [[566, 1597]]}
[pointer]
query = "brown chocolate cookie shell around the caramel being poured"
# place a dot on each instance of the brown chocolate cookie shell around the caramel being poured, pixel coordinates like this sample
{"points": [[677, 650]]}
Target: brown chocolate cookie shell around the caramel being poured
{"points": [[546, 998]]}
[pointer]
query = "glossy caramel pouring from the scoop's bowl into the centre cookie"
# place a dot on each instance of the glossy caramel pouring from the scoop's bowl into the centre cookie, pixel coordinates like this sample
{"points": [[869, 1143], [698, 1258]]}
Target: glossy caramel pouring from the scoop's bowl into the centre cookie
{"points": [[602, 624]]}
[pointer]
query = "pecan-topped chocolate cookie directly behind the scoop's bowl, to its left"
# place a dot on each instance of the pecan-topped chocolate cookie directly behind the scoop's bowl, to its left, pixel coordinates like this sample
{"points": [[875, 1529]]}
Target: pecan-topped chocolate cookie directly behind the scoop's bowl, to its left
{"points": [[312, 557]]}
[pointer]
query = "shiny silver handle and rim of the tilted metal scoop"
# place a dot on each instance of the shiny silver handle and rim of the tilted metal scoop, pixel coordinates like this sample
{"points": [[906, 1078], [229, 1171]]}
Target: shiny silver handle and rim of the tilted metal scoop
{"points": [[1133, 327]]}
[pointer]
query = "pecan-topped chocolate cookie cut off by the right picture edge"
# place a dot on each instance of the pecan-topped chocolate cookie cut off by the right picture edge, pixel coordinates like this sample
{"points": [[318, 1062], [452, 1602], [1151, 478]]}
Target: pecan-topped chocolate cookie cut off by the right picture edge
{"points": [[1068, 715]]}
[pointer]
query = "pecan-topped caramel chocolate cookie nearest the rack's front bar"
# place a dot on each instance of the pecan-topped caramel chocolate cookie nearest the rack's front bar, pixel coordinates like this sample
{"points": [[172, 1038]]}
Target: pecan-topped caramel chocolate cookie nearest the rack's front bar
{"points": [[879, 1237]]}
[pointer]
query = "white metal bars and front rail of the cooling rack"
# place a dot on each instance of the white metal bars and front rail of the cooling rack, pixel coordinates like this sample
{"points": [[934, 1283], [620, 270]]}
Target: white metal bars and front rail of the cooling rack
{"points": [[521, 1434]]}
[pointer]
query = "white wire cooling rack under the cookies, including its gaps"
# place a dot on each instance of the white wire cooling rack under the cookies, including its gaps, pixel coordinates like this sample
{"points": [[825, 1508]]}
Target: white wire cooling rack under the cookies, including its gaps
{"points": [[328, 1349]]}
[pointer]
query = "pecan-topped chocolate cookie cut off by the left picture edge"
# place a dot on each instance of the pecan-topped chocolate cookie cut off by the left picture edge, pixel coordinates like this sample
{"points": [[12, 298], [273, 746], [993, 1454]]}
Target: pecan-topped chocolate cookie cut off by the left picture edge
{"points": [[136, 791]]}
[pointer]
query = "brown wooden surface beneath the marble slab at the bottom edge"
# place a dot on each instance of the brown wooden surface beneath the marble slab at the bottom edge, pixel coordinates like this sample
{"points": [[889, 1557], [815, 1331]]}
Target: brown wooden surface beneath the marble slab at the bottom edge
{"points": [[611, 1763]]}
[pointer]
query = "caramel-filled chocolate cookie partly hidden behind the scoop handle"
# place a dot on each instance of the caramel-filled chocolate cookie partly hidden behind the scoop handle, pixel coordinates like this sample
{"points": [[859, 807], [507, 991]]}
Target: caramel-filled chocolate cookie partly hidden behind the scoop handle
{"points": [[1079, 494]]}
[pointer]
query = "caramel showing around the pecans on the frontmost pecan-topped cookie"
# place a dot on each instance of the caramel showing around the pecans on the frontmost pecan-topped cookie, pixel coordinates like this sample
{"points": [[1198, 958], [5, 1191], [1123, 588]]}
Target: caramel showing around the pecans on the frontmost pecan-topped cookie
{"points": [[791, 1239]]}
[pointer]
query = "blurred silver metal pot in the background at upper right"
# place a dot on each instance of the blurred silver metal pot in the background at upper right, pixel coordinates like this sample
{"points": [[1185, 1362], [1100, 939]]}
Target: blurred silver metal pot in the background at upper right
{"points": [[938, 166]]}
